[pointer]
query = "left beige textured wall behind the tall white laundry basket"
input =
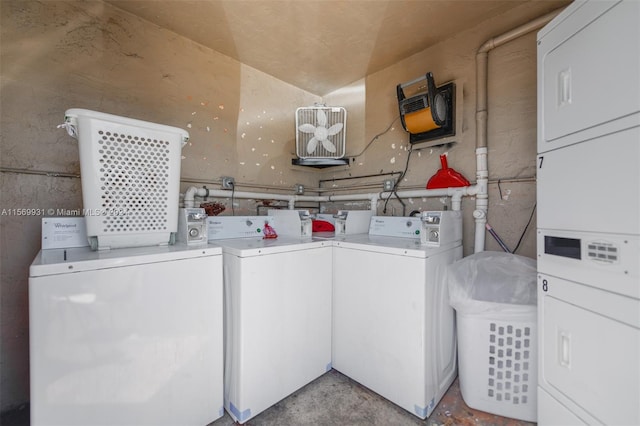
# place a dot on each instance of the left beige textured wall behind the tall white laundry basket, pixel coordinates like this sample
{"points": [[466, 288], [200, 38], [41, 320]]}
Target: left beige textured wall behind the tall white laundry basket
{"points": [[59, 55]]}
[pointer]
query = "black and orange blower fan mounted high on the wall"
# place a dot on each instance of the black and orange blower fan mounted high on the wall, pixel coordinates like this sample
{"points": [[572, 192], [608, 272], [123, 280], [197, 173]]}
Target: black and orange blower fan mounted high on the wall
{"points": [[429, 113]]}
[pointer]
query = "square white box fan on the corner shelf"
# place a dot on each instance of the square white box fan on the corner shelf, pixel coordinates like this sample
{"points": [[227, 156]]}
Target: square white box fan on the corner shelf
{"points": [[320, 132]]}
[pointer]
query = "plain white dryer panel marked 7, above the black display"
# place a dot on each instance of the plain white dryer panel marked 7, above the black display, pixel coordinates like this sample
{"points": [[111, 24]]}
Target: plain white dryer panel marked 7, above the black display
{"points": [[593, 185]]}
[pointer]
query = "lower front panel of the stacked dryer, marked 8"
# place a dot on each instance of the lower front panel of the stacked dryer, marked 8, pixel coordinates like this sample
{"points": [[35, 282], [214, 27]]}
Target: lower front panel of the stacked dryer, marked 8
{"points": [[590, 350]]}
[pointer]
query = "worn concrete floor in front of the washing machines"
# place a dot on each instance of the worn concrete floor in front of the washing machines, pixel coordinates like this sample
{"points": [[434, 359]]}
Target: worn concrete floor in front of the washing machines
{"points": [[334, 399]]}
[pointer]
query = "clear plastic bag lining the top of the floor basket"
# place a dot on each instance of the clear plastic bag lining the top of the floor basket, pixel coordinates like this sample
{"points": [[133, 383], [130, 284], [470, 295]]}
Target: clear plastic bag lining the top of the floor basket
{"points": [[491, 281]]}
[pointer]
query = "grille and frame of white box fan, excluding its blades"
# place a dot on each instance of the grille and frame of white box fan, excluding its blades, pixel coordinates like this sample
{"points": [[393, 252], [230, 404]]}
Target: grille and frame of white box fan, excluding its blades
{"points": [[309, 115]]}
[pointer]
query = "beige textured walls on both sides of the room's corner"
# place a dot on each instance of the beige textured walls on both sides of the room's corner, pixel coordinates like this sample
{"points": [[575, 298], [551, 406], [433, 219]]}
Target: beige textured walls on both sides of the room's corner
{"points": [[57, 55]]}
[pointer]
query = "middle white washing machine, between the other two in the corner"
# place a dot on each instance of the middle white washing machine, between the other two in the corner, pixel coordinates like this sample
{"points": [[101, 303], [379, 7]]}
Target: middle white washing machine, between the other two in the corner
{"points": [[277, 313]]}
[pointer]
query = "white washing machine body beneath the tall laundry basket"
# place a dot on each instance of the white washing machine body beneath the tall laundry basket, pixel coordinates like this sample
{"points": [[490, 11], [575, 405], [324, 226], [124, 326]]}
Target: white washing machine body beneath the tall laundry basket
{"points": [[126, 336]]}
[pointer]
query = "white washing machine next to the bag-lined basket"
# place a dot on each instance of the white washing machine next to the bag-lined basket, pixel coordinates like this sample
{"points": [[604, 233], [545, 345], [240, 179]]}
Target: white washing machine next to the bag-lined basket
{"points": [[393, 328]]}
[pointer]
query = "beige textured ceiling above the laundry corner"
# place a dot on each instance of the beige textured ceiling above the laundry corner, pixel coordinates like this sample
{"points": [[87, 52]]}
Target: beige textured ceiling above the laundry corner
{"points": [[321, 45]]}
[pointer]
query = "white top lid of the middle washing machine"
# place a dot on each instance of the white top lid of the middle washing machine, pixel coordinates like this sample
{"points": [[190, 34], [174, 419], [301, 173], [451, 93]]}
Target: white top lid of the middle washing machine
{"points": [[247, 247]]}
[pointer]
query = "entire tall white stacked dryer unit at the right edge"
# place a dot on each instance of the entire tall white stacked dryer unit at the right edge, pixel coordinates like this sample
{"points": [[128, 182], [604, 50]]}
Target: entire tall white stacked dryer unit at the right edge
{"points": [[589, 215]]}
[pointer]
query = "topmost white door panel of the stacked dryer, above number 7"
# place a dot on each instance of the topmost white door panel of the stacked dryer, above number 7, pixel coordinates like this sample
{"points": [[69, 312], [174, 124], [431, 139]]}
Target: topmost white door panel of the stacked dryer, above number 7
{"points": [[588, 70]]}
